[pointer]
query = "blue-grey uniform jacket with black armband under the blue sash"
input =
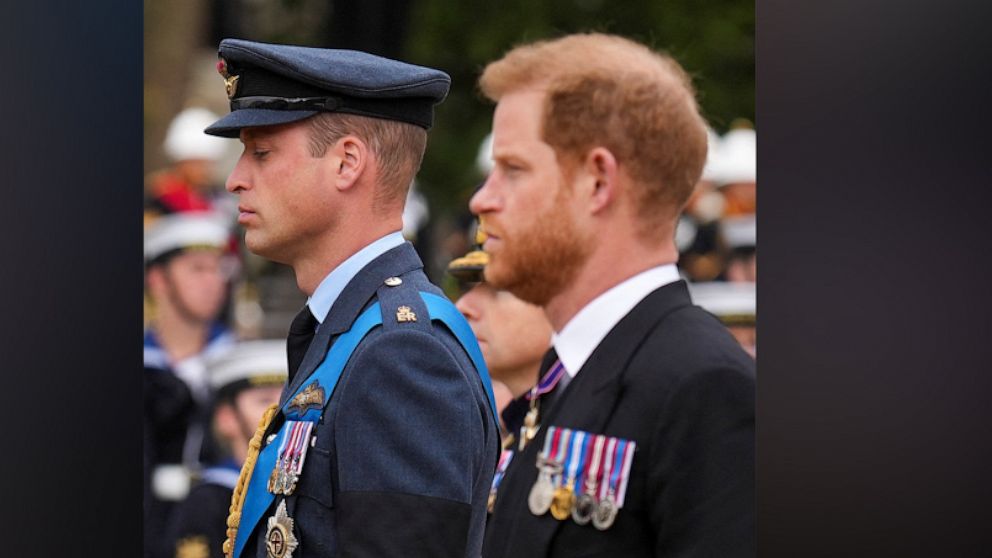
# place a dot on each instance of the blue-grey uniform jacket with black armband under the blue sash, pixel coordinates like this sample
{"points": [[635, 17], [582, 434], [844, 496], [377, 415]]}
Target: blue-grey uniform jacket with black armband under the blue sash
{"points": [[406, 449]]}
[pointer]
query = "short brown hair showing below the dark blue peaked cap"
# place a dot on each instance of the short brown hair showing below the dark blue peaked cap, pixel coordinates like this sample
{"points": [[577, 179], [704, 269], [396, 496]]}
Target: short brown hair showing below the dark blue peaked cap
{"points": [[398, 148]]}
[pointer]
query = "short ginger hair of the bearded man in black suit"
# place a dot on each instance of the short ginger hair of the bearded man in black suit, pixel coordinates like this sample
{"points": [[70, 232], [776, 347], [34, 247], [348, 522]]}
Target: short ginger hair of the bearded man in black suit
{"points": [[605, 90]]}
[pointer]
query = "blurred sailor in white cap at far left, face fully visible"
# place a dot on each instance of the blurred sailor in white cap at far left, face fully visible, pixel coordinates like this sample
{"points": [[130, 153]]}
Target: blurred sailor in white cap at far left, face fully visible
{"points": [[185, 285]]}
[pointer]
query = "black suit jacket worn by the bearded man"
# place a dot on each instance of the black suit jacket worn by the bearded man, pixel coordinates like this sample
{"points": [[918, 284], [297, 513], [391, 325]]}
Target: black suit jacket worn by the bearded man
{"points": [[670, 377]]}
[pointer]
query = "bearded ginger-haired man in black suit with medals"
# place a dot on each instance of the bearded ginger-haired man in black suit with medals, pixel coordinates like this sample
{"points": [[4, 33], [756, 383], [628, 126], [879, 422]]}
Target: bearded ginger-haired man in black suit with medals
{"points": [[645, 445]]}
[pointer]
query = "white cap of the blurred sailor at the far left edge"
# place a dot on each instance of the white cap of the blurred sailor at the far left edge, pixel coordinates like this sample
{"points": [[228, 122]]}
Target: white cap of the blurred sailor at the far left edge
{"points": [[185, 230]]}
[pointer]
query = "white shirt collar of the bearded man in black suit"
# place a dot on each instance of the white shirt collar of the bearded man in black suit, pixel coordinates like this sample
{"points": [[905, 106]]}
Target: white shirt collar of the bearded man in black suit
{"points": [[583, 333]]}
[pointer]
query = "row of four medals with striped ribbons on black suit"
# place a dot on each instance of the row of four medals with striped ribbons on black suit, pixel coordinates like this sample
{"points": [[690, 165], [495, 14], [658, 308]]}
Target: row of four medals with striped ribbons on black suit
{"points": [[549, 493]]}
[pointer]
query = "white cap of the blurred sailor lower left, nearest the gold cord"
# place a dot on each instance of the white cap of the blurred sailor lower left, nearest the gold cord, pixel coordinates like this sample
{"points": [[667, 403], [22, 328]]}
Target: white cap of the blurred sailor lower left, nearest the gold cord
{"points": [[248, 364]]}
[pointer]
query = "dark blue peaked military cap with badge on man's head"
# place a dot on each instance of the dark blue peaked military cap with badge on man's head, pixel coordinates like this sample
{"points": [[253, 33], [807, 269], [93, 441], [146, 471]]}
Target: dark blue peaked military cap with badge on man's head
{"points": [[276, 84]]}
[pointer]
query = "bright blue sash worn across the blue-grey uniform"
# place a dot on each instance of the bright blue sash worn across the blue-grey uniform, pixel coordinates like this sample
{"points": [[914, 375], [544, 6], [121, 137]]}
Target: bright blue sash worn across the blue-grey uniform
{"points": [[258, 498]]}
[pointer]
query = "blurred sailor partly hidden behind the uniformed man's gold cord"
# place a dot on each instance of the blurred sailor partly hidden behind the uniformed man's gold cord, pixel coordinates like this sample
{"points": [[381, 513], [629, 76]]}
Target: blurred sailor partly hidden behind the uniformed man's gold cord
{"points": [[245, 380]]}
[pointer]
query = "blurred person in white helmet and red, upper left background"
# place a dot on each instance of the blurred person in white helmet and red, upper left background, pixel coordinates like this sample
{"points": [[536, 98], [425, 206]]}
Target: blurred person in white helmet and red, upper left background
{"points": [[187, 184]]}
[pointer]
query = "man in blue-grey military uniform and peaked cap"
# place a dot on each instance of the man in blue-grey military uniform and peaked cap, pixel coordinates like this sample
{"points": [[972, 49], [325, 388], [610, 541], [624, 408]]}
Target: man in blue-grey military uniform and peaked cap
{"points": [[385, 440]]}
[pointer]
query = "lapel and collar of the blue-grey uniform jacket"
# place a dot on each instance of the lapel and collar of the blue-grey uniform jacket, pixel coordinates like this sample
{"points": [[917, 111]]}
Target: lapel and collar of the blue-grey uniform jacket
{"points": [[352, 300]]}
